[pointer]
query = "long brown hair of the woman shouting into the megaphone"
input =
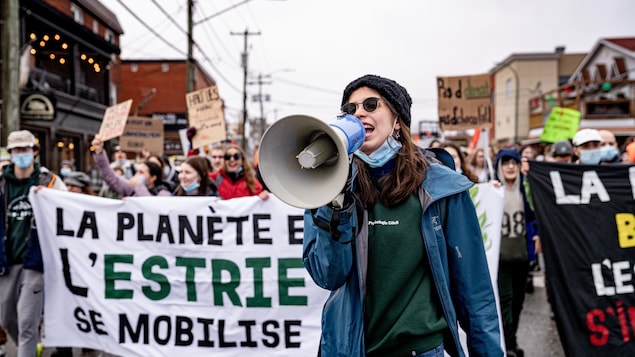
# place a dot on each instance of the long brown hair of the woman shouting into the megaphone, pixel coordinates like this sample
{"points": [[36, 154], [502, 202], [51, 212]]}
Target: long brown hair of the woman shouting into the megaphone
{"points": [[402, 181]]}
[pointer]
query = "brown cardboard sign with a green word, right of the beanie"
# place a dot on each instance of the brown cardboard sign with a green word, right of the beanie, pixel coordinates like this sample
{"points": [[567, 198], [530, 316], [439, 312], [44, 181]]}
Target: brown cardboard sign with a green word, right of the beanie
{"points": [[464, 102]]}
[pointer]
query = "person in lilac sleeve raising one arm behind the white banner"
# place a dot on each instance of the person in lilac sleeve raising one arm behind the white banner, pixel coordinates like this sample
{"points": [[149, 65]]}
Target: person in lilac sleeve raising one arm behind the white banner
{"points": [[147, 180]]}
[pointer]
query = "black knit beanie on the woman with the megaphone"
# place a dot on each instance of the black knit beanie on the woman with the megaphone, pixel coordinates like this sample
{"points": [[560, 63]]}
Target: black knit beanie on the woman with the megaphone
{"points": [[392, 91]]}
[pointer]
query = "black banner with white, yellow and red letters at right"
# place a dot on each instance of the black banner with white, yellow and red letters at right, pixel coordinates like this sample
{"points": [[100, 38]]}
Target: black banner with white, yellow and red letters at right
{"points": [[586, 219]]}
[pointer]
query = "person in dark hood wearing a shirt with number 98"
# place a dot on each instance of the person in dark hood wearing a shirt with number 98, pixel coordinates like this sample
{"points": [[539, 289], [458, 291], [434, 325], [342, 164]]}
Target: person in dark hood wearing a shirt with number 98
{"points": [[519, 232]]}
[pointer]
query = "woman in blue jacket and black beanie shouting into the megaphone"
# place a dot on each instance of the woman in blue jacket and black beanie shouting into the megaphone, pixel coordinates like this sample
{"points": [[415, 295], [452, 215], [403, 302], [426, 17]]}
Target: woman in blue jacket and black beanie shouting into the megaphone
{"points": [[402, 253]]}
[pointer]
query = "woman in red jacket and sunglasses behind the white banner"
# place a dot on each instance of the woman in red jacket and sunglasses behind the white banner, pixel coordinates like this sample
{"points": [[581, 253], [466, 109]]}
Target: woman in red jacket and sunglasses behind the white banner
{"points": [[237, 178]]}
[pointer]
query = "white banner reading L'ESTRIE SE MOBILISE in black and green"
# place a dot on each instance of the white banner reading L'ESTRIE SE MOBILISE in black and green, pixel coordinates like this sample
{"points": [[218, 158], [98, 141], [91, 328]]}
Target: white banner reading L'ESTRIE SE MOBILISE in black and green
{"points": [[176, 276]]}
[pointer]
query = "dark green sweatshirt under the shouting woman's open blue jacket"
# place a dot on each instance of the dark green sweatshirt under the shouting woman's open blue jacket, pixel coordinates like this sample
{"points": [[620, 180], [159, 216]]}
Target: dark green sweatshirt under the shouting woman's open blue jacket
{"points": [[402, 312]]}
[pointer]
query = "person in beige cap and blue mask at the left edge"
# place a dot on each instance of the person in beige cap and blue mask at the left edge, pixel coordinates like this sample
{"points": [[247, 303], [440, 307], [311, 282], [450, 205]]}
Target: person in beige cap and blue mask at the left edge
{"points": [[21, 279]]}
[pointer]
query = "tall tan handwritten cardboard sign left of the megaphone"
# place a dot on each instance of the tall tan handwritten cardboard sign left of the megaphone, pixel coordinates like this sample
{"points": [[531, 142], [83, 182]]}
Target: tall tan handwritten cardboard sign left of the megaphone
{"points": [[205, 112]]}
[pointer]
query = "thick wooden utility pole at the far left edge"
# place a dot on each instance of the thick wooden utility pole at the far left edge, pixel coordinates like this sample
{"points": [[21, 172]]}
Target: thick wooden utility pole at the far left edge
{"points": [[10, 114]]}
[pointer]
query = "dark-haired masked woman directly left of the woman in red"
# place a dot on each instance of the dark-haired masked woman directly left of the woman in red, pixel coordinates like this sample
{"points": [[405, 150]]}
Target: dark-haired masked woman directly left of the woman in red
{"points": [[194, 178]]}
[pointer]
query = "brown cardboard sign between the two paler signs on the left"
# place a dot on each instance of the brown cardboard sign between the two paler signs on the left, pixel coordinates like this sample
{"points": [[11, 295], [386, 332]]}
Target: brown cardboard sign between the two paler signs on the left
{"points": [[142, 133]]}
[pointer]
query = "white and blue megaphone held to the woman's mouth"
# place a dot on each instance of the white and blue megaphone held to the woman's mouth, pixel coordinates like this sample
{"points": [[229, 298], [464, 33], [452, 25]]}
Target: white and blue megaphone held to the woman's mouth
{"points": [[304, 161]]}
